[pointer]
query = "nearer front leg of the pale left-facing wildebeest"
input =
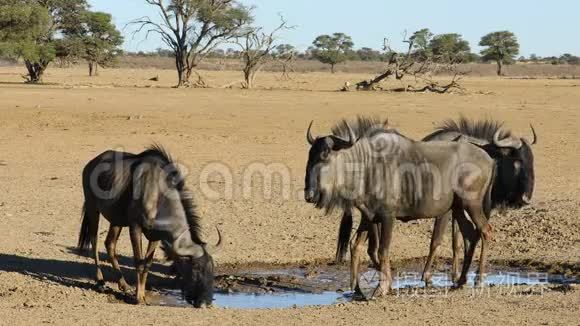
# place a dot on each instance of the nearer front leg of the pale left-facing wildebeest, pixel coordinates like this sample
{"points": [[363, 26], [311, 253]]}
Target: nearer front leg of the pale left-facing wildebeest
{"points": [[385, 279]]}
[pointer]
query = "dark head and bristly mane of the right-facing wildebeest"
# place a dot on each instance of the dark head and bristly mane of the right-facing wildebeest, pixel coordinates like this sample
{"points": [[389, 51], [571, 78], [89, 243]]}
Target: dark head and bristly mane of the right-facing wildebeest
{"points": [[514, 183]]}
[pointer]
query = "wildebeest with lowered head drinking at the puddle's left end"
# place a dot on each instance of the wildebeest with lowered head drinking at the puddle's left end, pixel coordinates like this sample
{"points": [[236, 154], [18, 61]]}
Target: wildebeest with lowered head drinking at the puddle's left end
{"points": [[146, 193]]}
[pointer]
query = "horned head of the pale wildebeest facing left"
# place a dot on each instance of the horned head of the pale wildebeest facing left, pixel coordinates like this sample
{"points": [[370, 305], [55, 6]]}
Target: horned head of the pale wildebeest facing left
{"points": [[323, 149]]}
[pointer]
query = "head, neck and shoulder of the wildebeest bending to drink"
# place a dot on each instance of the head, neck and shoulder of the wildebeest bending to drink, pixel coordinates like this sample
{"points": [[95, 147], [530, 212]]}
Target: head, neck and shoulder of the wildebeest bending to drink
{"points": [[170, 215]]}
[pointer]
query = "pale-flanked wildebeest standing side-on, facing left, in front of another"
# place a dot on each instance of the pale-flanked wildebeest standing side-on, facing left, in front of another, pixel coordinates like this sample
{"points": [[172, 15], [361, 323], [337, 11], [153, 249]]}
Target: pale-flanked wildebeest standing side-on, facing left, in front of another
{"points": [[393, 177]]}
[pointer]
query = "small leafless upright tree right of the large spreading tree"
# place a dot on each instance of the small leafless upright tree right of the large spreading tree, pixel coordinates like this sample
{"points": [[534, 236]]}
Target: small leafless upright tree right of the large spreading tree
{"points": [[256, 50]]}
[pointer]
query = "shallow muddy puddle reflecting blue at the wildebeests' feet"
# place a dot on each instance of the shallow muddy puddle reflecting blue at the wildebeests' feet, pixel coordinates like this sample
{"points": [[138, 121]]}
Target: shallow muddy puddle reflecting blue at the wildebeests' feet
{"points": [[280, 287]]}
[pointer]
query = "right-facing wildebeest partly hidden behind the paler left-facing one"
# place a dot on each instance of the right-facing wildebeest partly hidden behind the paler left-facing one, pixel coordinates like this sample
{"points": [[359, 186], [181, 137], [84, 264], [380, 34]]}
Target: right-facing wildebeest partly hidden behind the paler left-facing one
{"points": [[513, 185]]}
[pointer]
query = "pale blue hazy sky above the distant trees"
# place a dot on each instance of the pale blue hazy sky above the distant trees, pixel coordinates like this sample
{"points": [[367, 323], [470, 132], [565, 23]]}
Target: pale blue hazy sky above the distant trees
{"points": [[542, 27]]}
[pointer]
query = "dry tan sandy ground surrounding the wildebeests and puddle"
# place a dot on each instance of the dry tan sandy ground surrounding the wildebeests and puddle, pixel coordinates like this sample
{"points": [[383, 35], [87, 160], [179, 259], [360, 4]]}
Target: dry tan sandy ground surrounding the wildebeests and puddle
{"points": [[48, 133]]}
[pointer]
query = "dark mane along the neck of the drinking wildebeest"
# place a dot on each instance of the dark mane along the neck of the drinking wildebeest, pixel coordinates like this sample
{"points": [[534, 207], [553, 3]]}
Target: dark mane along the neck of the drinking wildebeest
{"points": [[185, 195]]}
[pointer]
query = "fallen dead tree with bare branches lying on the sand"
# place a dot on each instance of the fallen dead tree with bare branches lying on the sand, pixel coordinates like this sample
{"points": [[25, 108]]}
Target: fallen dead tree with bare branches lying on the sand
{"points": [[409, 64]]}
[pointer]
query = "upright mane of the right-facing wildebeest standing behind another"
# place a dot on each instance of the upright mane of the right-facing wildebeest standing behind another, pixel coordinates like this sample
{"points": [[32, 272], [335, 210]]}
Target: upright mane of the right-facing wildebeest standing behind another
{"points": [[483, 129]]}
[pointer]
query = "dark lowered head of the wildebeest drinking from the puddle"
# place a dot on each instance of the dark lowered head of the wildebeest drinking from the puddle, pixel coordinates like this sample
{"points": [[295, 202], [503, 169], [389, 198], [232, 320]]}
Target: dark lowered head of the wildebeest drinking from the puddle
{"points": [[196, 268]]}
